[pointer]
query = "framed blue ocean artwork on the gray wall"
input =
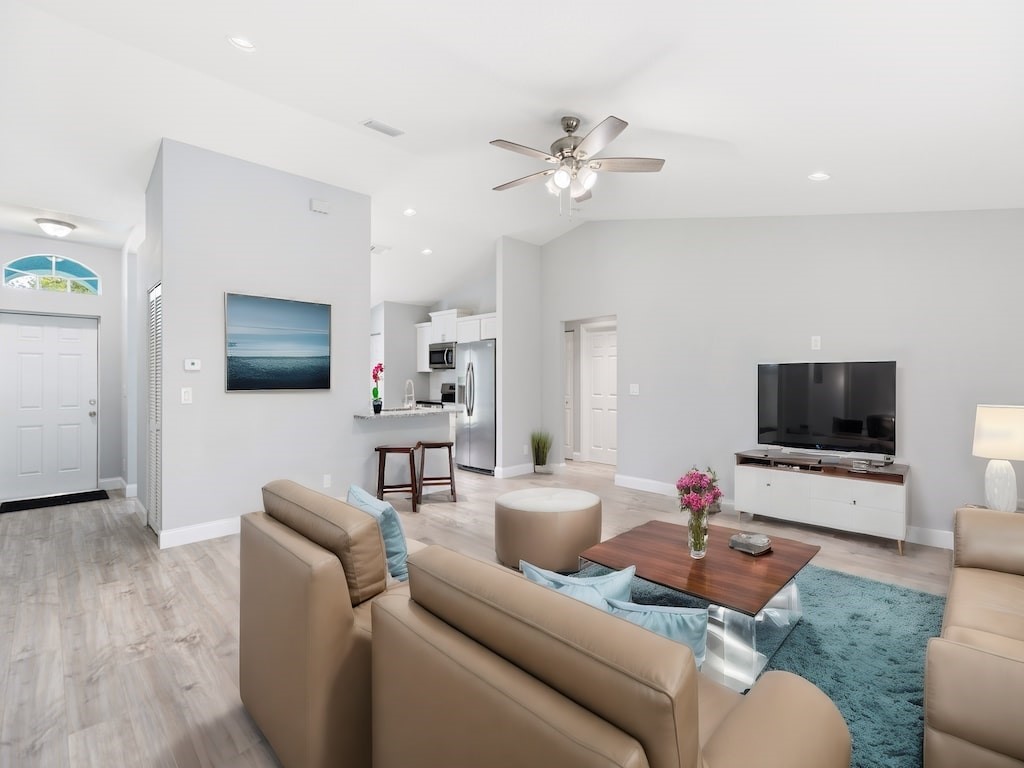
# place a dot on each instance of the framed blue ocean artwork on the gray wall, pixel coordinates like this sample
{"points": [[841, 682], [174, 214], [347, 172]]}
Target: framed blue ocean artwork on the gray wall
{"points": [[276, 344]]}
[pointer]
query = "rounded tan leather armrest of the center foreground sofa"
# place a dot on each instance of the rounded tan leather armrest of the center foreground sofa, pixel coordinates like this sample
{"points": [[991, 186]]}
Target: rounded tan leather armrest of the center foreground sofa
{"points": [[784, 722]]}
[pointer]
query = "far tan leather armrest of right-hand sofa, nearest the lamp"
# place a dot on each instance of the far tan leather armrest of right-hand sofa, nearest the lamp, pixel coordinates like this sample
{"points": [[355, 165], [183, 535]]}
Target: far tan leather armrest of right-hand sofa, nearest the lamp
{"points": [[989, 539]]}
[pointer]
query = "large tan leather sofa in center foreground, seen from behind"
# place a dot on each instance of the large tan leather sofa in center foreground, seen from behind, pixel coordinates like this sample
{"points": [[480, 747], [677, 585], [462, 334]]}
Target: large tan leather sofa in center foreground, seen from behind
{"points": [[481, 667]]}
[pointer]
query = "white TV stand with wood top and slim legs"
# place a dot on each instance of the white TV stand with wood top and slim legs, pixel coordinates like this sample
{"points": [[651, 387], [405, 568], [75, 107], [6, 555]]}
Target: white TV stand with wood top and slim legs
{"points": [[825, 491]]}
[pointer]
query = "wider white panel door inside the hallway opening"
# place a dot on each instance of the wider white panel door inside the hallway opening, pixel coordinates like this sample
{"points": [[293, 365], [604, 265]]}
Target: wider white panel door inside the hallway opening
{"points": [[601, 397]]}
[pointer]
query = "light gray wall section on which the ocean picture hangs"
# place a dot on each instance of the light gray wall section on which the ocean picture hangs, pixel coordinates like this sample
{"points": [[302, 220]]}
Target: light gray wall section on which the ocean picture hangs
{"points": [[222, 225]]}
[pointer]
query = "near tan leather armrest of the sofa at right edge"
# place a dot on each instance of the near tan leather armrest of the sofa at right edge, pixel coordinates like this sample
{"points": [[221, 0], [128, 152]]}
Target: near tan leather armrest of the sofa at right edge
{"points": [[974, 696]]}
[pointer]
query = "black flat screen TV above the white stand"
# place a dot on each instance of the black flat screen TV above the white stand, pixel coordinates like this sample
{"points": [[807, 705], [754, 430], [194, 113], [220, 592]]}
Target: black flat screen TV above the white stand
{"points": [[848, 407]]}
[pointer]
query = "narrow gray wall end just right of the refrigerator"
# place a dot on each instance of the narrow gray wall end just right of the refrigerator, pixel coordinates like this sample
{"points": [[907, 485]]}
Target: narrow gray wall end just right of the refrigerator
{"points": [[520, 380]]}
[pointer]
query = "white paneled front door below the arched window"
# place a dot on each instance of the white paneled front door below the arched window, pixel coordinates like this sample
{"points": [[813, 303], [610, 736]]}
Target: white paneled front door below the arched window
{"points": [[49, 413]]}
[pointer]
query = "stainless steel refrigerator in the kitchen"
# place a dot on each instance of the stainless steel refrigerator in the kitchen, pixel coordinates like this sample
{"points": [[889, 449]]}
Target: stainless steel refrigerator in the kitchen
{"points": [[477, 422]]}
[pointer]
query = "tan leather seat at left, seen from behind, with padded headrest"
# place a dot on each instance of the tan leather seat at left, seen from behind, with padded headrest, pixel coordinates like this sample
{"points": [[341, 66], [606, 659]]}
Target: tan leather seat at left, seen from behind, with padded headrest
{"points": [[311, 568]]}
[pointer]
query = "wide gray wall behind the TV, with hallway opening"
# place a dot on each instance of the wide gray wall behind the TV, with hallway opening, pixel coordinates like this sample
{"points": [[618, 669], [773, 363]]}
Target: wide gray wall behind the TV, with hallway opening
{"points": [[701, 303]]}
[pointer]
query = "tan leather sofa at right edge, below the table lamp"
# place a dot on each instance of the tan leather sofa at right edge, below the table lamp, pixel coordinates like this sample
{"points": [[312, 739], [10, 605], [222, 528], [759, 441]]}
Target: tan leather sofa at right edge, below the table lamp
{"points": [[974, 673]]}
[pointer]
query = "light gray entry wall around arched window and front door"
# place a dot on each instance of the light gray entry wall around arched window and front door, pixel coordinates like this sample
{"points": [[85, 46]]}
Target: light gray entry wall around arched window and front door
{"points": [[108, 308]]}
